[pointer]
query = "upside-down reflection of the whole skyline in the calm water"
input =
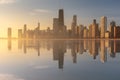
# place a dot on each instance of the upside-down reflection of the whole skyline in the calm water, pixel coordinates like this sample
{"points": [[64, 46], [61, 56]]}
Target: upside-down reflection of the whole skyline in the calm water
{"points": [[77, 47]]}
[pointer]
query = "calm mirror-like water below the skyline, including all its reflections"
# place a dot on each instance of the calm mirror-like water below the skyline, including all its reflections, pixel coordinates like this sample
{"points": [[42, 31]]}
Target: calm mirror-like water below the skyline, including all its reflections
{"points": [[59, 60]]}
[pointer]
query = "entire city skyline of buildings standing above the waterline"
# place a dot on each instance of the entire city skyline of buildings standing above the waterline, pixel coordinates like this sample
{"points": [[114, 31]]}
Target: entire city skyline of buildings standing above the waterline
{"points": [[93, 31]]}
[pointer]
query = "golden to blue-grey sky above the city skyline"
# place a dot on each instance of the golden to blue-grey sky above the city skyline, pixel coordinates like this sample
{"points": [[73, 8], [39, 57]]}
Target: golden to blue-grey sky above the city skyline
{"points": [[16, 13]]}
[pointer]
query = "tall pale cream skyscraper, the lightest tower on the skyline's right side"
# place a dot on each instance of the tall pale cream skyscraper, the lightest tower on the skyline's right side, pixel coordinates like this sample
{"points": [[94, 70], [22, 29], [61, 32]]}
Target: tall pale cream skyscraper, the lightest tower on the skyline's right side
{"points": [[103, 26]]}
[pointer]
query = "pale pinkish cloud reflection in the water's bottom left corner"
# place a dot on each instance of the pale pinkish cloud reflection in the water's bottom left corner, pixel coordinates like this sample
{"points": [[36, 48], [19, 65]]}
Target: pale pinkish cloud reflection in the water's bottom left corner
{"points": [[9, 77]]}
